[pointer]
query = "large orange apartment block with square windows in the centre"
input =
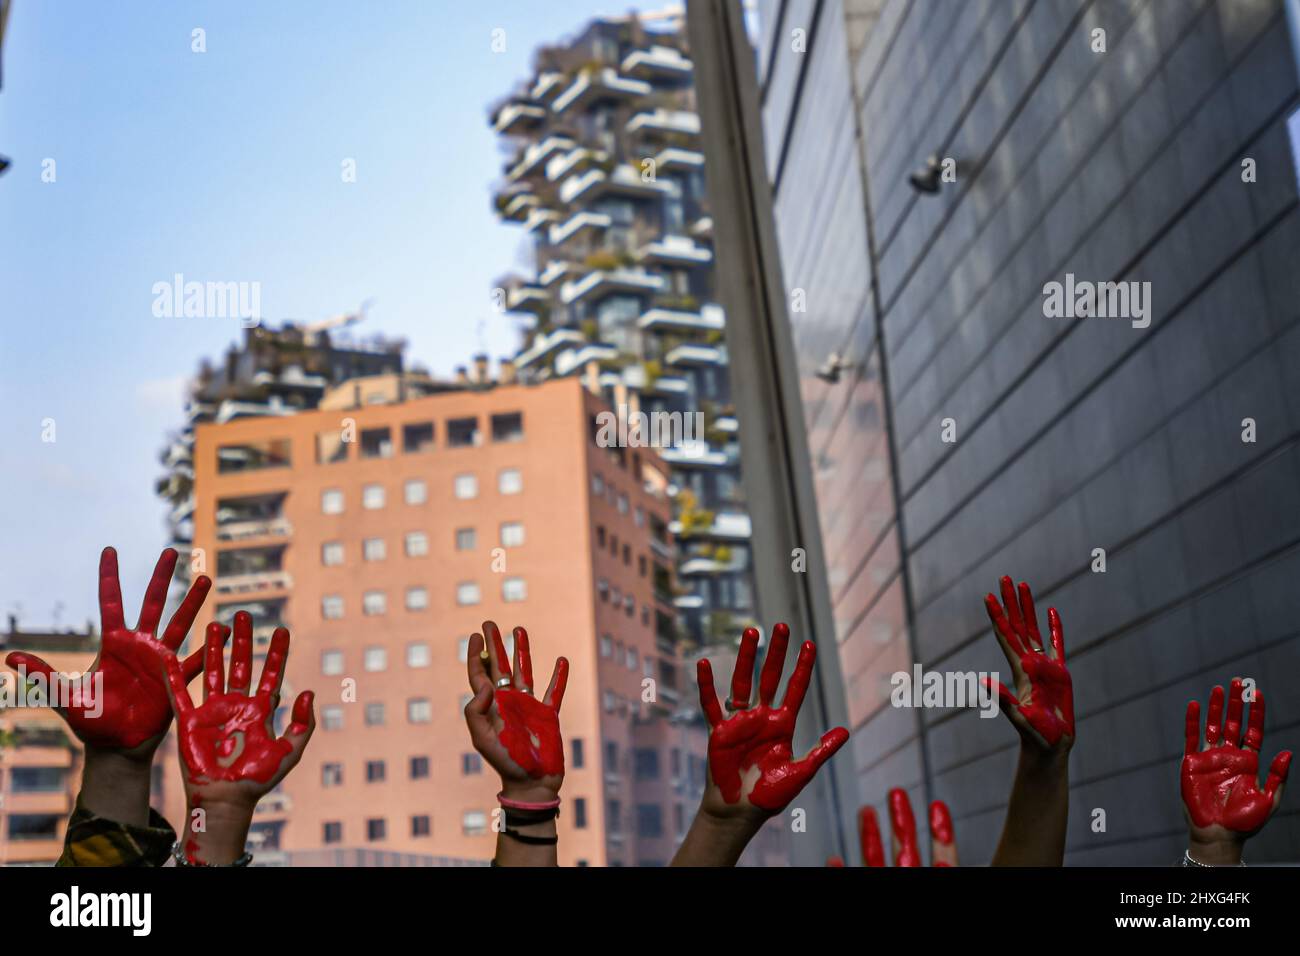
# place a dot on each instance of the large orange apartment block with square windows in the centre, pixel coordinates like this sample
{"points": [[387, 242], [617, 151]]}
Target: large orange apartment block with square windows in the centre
{"points": [[383, 531]]}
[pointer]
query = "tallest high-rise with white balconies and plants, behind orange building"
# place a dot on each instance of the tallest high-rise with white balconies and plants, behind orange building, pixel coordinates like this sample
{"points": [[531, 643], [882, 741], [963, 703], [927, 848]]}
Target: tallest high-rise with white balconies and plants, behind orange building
{"points": [[606, 178]]}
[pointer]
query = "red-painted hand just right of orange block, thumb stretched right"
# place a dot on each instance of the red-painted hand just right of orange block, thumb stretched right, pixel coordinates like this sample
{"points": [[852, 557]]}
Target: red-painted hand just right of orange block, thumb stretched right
{"points": [[751, 754]]}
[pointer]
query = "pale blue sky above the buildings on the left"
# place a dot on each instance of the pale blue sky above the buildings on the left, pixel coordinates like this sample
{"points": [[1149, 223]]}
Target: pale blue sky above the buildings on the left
{"points": [[226, 167]]}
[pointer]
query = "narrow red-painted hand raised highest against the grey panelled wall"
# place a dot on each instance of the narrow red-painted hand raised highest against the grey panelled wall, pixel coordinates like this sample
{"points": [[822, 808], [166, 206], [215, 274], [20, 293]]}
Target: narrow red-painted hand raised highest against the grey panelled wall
{"points": [[1046, 702]]}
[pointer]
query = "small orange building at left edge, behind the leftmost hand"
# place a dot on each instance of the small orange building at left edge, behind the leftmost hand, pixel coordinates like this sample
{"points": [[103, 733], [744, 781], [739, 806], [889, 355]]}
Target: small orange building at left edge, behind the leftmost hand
{"points": [[41, 763]]}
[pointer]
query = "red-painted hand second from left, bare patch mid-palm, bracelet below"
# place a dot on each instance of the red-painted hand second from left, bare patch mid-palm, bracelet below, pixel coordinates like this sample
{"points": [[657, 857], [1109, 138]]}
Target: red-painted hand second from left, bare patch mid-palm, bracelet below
{"points": [[231, 738]]}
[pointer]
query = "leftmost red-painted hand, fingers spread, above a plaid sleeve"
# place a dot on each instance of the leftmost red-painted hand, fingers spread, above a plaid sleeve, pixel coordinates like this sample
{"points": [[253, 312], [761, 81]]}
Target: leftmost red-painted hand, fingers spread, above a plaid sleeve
{"points": [[136, 710]]}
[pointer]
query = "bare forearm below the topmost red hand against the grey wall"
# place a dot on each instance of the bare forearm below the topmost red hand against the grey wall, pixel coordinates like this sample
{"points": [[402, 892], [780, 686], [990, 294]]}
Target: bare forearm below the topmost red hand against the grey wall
{"points": [[1034, 833]]}
